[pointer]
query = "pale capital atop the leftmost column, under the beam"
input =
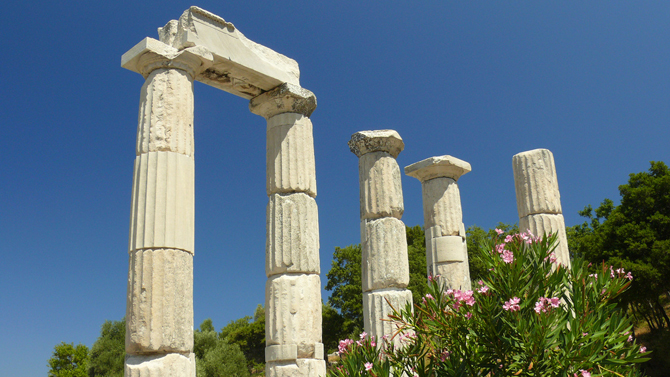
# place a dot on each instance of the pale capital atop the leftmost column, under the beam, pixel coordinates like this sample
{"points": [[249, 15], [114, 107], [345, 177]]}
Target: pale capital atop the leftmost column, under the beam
{"points": [[150, 54]]}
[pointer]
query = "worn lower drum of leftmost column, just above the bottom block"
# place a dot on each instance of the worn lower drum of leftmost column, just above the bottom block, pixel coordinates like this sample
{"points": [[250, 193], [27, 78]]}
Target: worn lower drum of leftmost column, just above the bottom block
{"points": [[159, 312]]}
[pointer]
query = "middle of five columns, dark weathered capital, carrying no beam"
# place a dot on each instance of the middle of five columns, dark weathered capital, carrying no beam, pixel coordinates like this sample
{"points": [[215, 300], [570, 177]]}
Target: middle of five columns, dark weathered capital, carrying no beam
{"points": [[385, 266]]}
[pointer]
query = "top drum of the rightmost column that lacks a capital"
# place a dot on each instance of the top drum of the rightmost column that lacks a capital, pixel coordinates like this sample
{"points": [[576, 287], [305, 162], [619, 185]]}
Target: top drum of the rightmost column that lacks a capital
{"points": [[536, 183]]}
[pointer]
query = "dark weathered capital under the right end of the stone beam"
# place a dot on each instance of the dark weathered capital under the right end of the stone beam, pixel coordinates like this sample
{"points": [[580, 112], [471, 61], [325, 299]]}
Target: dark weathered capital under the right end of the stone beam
{"points": [[286, 98]]}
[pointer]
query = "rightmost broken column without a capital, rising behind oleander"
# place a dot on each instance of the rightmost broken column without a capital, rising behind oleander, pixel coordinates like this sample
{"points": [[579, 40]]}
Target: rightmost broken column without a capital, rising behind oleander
{"points": [[537, 198]]}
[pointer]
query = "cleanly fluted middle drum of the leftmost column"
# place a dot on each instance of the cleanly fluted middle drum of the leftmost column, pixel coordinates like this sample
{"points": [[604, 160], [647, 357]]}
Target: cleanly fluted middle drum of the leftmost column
{"points": [[162, 209]]}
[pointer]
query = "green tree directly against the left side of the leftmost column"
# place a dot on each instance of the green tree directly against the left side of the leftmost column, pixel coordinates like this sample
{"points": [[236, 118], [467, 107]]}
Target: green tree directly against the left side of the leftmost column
{"points": [[108, 351]]}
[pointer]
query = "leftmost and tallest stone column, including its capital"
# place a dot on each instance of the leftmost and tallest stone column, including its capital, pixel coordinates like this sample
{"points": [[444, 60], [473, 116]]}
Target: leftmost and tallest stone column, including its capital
{"points": [[159, 314]]}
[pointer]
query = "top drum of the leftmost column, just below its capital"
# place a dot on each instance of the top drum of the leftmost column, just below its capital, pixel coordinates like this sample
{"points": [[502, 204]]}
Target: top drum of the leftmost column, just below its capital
{"points": [[166, 113]]}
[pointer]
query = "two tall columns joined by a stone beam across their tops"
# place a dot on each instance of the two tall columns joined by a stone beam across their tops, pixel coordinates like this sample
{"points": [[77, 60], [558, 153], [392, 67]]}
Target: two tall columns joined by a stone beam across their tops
{"points": [[201, 46]]}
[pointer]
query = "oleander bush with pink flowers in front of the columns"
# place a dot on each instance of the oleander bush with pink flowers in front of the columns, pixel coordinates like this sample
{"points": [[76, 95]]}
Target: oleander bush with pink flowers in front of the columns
{"points": [[527, 316]]}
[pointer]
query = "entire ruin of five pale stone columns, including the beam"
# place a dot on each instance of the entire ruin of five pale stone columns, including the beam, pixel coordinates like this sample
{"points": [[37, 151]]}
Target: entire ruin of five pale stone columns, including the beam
{"points": [[201, 46]]}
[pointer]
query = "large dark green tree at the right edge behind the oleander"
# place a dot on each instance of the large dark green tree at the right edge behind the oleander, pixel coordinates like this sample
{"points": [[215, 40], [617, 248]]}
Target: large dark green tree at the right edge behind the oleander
{"points": [[634, 235]]}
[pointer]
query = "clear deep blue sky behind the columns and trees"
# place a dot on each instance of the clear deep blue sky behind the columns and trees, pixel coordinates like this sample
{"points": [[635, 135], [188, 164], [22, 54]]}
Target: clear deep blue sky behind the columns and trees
{"points": [[480, 80]]}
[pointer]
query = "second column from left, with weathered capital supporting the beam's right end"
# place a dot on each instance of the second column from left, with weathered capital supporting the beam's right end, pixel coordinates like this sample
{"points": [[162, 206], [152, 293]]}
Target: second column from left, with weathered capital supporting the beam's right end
{"points": [[293, 288]]}
